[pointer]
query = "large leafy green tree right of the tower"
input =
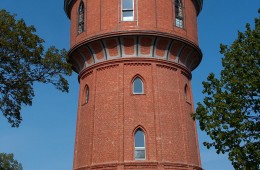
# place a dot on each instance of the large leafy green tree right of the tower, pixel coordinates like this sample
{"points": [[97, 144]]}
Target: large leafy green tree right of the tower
{"points": [[230, 113]]}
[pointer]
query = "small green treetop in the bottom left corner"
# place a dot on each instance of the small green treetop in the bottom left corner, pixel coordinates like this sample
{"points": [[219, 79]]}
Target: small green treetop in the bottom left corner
{"points": [[7, 162]]}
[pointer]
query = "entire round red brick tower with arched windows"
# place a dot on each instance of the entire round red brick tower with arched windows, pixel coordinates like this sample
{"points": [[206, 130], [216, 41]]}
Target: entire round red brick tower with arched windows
{"points": [[134, 60]]}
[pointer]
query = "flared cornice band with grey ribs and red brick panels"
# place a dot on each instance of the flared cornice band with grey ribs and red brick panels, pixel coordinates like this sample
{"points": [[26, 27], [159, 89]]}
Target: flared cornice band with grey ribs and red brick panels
{"points": [[130, 46]]}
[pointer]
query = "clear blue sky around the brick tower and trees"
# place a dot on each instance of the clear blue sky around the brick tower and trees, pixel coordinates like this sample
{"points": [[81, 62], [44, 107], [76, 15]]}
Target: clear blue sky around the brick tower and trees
{"points": [[45, 139]]}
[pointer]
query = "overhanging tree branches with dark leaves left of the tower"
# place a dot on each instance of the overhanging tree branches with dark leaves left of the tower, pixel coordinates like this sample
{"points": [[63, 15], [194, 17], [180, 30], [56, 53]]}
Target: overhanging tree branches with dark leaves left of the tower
{"points": [[23, 61]]}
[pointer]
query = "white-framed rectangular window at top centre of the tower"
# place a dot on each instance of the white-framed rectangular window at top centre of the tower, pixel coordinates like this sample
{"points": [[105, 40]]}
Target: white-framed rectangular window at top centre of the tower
{"points": [[127, 10]]}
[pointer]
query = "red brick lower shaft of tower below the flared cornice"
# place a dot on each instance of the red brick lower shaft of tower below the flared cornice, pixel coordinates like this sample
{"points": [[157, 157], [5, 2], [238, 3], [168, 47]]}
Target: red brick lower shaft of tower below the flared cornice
{"points": [[109, 114]]}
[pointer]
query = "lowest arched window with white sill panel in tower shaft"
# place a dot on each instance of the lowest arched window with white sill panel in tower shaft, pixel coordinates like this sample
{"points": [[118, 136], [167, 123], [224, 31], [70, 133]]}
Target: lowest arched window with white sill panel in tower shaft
{"points": [[139, 145]]}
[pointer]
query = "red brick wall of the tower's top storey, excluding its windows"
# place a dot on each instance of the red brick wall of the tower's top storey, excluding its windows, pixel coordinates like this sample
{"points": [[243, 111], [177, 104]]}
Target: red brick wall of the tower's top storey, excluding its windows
{"points": [[104, 17]]}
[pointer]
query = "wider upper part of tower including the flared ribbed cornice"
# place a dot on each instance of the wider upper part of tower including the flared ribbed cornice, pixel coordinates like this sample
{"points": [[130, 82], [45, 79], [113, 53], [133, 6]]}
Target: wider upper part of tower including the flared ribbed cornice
{"points": [[111, 29]]}
